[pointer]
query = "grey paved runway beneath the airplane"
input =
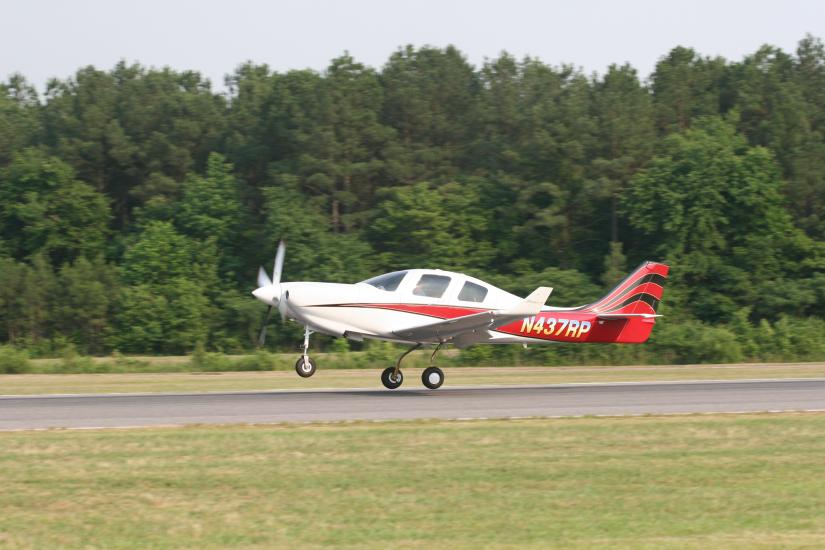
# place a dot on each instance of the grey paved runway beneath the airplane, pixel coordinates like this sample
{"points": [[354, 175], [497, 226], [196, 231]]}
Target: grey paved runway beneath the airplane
{"points": [[133, 410]]}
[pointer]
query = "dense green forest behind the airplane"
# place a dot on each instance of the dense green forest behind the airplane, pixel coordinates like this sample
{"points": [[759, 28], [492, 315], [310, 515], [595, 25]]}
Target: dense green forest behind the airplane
{"points": [[136, 204]]}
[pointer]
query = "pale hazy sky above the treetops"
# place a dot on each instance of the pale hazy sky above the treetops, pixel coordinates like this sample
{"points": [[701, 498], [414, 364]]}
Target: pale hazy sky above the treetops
{"points": [[43, 39]]}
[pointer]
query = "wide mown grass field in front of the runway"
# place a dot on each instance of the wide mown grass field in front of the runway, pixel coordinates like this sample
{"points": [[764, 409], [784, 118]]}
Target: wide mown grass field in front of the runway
{"points": [[749, 481]]}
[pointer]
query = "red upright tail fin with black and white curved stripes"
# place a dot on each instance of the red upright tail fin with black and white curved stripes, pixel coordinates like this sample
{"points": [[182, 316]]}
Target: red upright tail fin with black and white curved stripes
{"points": [[640, 292]]}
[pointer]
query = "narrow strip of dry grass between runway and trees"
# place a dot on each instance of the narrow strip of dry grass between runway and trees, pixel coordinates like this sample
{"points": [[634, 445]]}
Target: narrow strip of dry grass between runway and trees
{"points": [[27, 384]]}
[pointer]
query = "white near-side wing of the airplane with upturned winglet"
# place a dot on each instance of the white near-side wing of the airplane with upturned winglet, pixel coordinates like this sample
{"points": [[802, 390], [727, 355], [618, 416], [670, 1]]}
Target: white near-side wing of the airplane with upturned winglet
{"points": [[443, 331]]}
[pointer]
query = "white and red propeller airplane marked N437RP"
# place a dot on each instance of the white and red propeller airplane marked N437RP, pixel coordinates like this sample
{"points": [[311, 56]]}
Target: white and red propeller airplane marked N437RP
{"points": [[422, 307]]}
